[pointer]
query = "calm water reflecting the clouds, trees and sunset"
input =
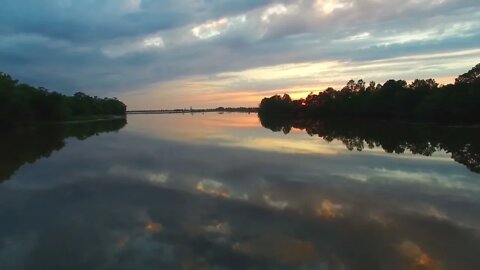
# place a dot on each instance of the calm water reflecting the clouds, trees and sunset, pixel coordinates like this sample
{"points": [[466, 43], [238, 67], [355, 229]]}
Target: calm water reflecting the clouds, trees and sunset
{"points": [[220, 191]]}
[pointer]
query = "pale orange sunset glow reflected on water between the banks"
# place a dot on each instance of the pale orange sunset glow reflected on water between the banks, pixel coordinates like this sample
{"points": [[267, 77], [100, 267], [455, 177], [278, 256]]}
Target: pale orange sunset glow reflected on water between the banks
{"points": [[240, 130]]}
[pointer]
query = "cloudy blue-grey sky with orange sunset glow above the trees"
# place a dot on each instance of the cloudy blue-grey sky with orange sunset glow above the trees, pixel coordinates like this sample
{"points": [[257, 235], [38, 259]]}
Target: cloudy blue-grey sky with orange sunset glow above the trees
{"points": [[208, 53]]}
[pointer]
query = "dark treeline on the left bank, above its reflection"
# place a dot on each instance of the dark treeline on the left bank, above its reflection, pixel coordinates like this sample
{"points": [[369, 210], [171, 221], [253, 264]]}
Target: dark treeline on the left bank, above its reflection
{"points": [[22, 104]]}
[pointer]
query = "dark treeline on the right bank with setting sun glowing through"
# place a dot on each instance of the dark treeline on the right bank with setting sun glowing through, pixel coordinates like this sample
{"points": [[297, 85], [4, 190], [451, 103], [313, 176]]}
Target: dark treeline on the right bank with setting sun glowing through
{"points": [[421, 100]]}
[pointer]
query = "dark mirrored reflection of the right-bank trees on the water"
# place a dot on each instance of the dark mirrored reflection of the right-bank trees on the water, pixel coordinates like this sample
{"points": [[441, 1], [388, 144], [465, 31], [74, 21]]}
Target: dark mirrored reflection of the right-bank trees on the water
{"points": [[462, 143]]}
